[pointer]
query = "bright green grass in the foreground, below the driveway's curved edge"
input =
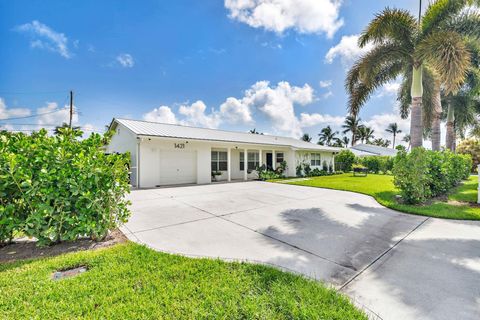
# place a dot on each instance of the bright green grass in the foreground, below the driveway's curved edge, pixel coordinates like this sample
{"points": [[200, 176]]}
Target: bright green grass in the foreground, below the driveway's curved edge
{"points": [[129, 281]]}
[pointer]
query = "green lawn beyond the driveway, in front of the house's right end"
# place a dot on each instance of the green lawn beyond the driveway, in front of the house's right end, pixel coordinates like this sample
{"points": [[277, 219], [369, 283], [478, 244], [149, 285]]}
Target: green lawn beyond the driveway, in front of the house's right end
{"points": [[382, 189]]}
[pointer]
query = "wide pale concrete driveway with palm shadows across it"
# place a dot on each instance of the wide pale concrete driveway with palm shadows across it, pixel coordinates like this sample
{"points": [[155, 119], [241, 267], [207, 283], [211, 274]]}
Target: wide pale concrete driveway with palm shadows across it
{"points": [[394, 265]]}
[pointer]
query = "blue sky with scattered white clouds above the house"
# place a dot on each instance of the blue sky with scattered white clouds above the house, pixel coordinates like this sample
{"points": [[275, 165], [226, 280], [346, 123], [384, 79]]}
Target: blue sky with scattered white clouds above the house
{"points": [[203, 63]]}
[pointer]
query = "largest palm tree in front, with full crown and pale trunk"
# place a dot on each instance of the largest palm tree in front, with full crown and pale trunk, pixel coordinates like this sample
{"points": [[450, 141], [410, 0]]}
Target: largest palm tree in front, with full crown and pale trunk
{"points": [[426, 53]]}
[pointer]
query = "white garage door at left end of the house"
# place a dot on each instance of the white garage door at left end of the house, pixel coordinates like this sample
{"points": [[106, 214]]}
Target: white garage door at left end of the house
{"points": [[178, 167]]}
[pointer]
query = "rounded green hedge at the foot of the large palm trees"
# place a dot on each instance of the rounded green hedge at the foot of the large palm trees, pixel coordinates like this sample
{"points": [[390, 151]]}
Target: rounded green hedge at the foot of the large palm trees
{"points": [[423, 174]]}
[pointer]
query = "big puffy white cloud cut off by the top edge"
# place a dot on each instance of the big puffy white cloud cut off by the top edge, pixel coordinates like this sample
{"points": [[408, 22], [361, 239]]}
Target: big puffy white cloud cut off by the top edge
{"points": [[304, 16]]}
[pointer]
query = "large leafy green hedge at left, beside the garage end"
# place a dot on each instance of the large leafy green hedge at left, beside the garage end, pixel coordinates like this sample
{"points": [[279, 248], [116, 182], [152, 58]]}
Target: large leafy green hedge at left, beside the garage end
{"points": [[58, 188]]}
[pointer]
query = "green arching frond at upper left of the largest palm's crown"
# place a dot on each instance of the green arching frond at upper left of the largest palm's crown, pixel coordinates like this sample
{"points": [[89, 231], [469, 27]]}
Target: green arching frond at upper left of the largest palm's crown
{"points": [[393, 25]]}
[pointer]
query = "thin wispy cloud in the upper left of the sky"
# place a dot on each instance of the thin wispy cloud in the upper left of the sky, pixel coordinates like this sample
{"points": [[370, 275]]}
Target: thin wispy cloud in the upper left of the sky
{"points": [[44, 37]]}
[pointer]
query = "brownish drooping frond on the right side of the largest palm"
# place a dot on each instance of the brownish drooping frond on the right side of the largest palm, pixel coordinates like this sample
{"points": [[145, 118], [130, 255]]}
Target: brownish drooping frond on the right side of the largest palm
{"points": [[447, 53]]}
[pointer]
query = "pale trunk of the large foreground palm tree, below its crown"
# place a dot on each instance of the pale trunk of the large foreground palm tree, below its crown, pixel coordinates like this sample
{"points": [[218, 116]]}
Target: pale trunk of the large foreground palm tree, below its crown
{"points": [[416, 125]]}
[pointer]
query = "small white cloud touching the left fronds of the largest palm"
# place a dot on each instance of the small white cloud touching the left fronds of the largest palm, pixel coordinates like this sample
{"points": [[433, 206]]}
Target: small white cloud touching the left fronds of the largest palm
{"points": [[347, 50]]}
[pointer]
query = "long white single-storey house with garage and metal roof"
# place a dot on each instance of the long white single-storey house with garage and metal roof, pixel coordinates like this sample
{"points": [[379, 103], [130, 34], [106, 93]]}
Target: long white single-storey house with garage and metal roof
{"points": [[166, 154]]}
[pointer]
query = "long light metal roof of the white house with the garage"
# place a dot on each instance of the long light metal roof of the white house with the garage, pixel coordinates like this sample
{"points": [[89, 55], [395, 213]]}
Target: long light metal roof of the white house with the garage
{"points": [[156, 129]]}
